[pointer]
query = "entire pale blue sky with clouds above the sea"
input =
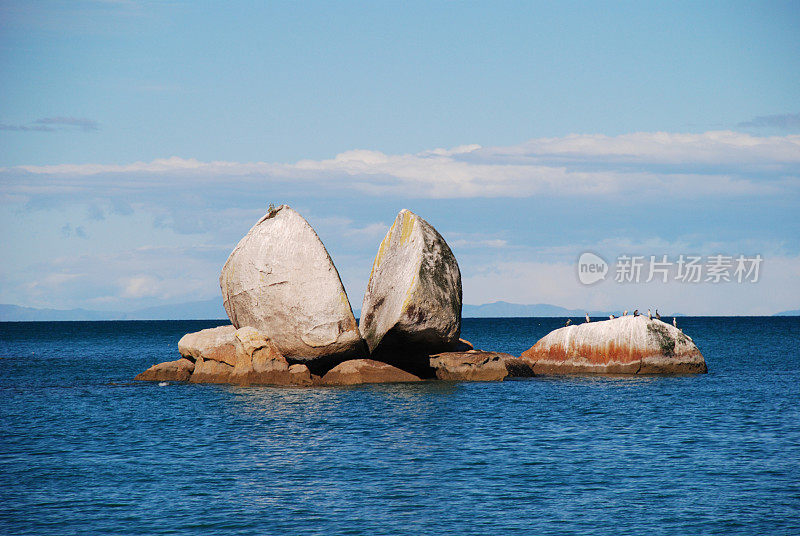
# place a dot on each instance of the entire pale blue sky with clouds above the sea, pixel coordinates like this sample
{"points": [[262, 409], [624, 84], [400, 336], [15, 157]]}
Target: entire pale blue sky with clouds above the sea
{"points": [[140, 140]]}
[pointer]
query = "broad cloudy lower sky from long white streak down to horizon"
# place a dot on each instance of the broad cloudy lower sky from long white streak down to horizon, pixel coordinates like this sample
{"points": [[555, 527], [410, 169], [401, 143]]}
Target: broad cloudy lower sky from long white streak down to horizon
{"points": [[149, 233]]}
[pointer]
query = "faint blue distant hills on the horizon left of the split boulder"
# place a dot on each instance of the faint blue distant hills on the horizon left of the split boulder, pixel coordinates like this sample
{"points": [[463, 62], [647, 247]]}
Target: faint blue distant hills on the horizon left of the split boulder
{"points": [[199, 310]]}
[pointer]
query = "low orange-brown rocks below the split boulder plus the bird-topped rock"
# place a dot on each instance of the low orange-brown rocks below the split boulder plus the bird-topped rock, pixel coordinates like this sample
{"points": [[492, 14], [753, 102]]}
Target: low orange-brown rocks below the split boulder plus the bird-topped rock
{"points": [[623, 346]]}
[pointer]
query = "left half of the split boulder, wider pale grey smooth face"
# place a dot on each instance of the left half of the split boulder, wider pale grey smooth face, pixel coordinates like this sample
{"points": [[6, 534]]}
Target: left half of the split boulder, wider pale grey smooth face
{"points": [[280, 280]]}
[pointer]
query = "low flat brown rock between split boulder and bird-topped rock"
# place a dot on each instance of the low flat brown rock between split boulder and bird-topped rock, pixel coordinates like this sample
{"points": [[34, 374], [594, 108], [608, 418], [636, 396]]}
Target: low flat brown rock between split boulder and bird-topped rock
{"points": [[474, 365]]}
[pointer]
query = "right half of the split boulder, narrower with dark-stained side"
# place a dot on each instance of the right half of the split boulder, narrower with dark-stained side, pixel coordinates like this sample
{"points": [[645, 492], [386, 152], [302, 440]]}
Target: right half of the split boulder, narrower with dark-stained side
{"points": [[412, 306]]}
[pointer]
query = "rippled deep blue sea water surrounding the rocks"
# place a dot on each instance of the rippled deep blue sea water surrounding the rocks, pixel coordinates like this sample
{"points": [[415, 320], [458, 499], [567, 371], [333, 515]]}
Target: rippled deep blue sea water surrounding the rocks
{"points": [[84, 450]]}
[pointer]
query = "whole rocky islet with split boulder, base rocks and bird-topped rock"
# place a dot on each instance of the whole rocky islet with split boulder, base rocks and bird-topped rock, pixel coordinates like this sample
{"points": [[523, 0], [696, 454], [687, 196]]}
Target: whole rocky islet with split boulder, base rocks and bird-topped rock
{"points": [[292, 323]]}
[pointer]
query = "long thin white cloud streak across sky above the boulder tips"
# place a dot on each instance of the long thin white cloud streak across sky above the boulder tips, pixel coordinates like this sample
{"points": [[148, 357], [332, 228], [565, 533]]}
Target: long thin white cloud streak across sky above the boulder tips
{"points": [[663, 164]]}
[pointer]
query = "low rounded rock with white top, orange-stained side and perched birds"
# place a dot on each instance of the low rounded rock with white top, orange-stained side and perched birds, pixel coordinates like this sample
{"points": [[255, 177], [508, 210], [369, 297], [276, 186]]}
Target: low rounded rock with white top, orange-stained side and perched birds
{"points": [[625, 345]]}
